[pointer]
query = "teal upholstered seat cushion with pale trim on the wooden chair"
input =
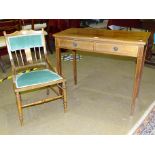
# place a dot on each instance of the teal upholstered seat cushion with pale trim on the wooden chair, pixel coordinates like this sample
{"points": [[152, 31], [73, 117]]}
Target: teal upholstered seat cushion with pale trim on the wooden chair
{"points": [[36, 77]]}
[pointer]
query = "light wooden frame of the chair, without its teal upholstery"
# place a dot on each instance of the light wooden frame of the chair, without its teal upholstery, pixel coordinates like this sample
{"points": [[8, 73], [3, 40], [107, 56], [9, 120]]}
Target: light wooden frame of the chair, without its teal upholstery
{"points": [[61, 83]]}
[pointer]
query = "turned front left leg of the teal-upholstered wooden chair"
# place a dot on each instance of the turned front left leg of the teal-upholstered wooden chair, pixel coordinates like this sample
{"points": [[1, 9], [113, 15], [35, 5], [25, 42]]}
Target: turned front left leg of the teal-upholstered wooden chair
{"points": [[19, 105]]}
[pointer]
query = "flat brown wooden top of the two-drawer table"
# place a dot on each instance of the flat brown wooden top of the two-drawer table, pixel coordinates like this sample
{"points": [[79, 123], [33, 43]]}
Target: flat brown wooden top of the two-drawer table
{"points": [[96, 34]]}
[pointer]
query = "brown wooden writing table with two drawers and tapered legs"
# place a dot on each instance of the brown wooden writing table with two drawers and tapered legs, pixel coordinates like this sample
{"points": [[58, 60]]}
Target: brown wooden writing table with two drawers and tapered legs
{"points": [[116, 42]]}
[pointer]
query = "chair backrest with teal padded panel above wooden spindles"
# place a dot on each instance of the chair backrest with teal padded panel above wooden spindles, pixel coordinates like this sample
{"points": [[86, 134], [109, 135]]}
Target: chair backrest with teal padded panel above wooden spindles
{"points": [[26, 47]]}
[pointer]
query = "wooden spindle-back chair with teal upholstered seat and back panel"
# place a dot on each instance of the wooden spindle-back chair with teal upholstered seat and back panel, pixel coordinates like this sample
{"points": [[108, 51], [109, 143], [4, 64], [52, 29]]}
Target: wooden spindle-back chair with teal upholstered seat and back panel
{"points": [[27, 50]]}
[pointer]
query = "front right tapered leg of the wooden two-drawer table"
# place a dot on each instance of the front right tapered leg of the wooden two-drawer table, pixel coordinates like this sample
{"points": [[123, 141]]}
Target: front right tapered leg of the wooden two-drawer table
{"points": [[138, 75]]}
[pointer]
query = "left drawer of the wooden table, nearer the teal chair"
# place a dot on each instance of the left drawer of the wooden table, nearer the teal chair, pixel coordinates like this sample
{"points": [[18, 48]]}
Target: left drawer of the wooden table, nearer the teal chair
{"points": [[76, 44]]}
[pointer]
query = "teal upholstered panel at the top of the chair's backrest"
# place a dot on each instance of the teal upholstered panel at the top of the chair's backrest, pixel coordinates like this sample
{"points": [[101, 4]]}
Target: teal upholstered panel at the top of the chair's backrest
{"points": [[23, 42]]}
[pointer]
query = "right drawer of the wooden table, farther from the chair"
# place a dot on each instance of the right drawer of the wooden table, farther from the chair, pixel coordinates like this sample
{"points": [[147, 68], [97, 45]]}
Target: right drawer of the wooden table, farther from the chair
{"points": [[116, 49]]}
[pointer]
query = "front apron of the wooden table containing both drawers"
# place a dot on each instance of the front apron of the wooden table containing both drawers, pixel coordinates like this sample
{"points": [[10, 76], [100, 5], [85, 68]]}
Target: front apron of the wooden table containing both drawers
{"points": [[99, 47]]}
